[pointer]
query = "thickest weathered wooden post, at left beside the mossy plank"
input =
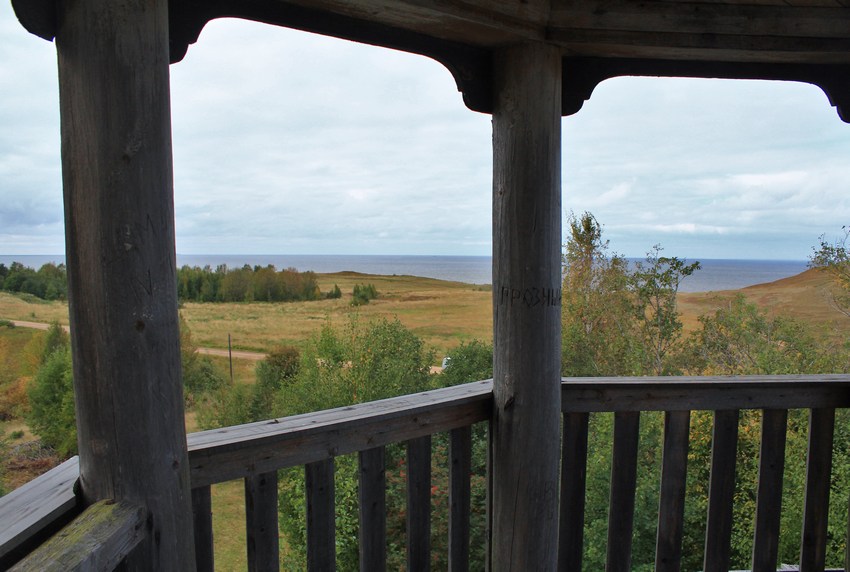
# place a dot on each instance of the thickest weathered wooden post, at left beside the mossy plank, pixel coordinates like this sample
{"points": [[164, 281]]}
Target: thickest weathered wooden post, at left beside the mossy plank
{"points": [[119, 226]]}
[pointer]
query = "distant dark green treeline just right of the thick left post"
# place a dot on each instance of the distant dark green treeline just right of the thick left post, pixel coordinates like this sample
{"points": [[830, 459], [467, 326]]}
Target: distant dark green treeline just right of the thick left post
{"points": [[246, 284]]}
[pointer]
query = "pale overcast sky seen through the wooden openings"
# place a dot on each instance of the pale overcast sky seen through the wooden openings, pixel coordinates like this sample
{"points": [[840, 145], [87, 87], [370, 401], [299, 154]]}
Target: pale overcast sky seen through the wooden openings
{"points": [[291, 143]]}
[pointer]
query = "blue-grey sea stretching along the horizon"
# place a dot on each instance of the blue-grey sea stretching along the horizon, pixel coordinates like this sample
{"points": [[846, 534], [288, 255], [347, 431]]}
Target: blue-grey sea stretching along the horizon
{"points": [[715, 274]]}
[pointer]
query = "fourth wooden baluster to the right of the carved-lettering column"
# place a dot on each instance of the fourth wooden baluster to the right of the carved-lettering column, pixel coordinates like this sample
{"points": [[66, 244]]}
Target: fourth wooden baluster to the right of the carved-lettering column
{"points": [[721, 491]]}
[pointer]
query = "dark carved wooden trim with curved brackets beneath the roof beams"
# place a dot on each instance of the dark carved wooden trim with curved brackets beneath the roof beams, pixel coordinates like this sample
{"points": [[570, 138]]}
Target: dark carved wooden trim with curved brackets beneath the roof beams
{"points": [[471, 66]]}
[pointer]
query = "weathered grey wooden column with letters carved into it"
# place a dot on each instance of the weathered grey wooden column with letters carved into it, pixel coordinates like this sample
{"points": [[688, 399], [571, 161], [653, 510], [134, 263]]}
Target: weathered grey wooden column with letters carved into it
{"points": [[526, 308]]}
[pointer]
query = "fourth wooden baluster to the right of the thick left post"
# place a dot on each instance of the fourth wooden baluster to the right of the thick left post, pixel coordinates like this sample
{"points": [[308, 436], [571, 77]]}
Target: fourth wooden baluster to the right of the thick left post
{"points": [[373, 502]]}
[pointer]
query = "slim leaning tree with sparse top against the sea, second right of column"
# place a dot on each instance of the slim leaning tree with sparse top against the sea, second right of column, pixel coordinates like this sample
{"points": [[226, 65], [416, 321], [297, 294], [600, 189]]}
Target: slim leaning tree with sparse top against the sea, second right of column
{"points": [[655, 284]]}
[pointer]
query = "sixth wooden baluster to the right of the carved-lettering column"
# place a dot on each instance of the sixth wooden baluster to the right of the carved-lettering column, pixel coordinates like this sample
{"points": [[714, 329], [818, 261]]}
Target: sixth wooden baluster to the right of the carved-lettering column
{"points": [[816, 504]]}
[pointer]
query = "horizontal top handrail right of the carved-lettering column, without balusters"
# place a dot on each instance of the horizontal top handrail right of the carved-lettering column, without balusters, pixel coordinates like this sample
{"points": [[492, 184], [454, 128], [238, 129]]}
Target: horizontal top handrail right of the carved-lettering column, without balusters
{"points": [[704, 393]]}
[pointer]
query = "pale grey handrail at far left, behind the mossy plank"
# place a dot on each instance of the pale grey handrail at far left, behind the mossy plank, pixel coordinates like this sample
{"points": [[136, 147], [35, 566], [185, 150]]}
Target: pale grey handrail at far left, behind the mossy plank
{"points": [[31, 513]]}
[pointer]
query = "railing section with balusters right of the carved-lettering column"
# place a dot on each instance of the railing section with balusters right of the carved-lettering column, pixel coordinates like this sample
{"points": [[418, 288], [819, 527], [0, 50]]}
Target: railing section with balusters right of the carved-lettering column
{"points": [[677, 397]]}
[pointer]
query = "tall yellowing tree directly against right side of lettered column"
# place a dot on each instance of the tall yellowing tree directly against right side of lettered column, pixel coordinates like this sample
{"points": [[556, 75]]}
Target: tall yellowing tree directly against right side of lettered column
{"points": [[597, 316]]}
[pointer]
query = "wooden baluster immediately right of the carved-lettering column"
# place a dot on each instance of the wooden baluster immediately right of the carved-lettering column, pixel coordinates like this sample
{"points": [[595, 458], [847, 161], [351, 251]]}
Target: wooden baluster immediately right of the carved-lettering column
{"points": [[573, 485]]}
